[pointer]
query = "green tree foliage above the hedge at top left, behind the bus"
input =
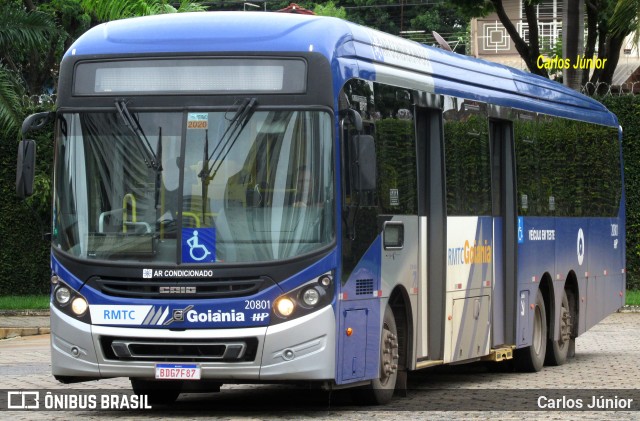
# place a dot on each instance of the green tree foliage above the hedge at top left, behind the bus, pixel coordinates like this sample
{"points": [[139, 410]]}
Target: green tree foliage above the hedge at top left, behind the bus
{"points": [[35, 34]]}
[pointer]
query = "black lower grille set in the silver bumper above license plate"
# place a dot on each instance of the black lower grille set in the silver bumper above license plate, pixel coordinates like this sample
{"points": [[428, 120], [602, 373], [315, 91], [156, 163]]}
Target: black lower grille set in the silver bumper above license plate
{"points": [[179, 350]]}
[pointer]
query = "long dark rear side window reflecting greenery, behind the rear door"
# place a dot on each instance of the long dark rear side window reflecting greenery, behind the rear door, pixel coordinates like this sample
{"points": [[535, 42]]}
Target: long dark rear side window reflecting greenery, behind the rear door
{"points": [[576, 177]]}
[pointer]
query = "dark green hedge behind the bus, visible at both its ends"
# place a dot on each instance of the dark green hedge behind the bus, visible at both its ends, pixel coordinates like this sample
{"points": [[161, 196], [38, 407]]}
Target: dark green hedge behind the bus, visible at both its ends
{"points": [[24, 254]]}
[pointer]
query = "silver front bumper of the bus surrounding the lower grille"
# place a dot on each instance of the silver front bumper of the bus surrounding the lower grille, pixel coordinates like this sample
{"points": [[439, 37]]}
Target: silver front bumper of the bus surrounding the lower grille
{"points": [[300, 349]]}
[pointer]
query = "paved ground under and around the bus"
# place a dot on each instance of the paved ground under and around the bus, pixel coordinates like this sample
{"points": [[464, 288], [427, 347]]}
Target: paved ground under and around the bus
{"points": [[606, 368]]}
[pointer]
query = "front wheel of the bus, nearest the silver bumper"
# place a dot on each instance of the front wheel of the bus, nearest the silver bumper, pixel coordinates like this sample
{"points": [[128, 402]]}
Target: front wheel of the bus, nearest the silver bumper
{"points": [[380, 391]]}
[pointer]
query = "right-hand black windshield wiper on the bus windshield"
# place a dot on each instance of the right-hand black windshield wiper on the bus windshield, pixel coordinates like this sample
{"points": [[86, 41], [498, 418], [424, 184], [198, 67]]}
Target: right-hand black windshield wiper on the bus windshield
{"points": [[227, 140]]}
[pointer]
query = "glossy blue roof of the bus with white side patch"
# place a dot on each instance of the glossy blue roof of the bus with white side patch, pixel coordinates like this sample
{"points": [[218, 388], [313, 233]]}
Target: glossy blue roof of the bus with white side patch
{"points": [[358, 51]]}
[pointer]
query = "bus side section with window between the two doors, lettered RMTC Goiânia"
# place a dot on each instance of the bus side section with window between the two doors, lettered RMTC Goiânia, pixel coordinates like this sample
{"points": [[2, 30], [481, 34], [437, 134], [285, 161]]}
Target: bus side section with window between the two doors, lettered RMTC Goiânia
{"points": [[470, 242]]}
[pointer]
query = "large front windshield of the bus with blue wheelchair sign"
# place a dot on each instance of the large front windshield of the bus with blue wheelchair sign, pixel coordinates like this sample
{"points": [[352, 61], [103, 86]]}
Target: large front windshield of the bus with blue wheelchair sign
{"points": [[141, 186]]}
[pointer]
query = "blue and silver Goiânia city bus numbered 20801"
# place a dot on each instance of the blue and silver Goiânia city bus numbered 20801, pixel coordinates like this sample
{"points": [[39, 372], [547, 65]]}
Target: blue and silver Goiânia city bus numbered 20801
{"points": [[252, 197]]}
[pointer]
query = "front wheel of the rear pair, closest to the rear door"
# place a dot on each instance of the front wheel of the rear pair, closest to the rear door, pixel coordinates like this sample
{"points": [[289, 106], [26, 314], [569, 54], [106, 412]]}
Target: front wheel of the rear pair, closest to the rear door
{"points": [[531, 358]]}
